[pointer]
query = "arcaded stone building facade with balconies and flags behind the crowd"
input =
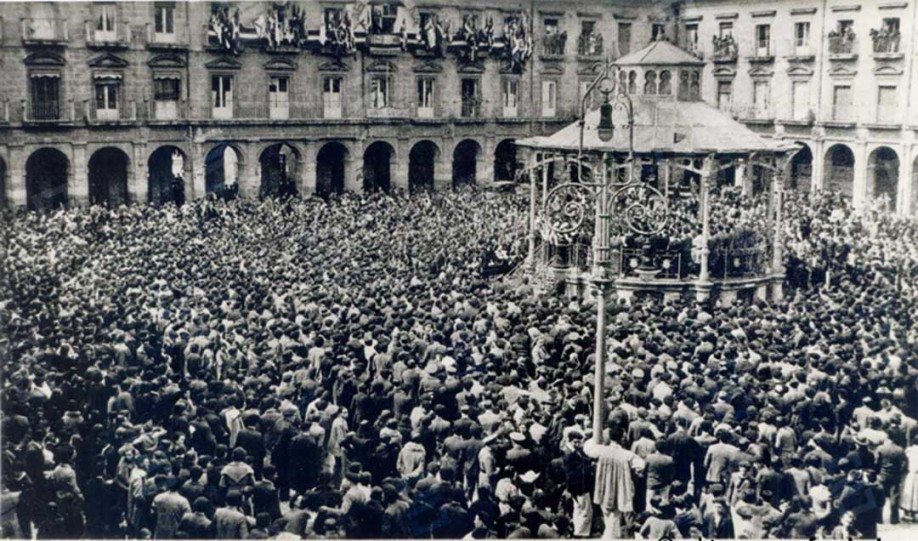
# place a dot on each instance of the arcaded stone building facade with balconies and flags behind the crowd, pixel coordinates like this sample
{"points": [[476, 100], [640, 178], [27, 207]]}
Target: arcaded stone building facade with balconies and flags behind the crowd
{"points": [[108, 102]]}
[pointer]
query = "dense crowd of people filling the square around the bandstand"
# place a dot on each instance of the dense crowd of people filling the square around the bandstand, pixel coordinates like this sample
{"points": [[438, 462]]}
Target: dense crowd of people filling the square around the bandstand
{"points": [[302, 368]]}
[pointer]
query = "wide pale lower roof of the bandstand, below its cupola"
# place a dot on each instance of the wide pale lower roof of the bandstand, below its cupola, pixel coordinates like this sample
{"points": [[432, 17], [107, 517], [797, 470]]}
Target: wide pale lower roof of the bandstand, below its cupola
{"points": [[664, 127]]}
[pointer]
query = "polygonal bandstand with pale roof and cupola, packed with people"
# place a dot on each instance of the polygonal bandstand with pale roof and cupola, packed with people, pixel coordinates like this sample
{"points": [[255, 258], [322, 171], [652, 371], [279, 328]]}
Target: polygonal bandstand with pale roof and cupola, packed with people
{"points": [[642, 194]]}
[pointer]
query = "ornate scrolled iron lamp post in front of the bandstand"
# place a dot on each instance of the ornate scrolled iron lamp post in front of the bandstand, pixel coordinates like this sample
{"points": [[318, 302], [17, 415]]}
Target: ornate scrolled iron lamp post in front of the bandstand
{"points": [[633, 204]]}
